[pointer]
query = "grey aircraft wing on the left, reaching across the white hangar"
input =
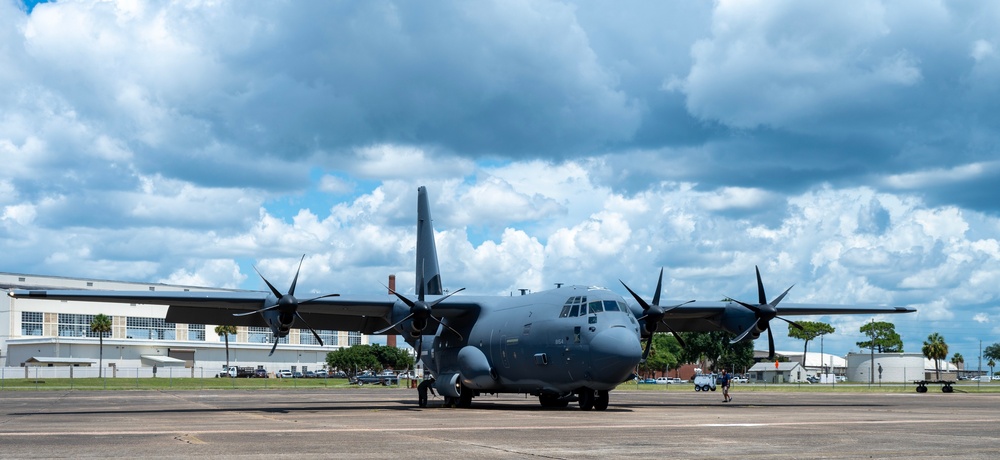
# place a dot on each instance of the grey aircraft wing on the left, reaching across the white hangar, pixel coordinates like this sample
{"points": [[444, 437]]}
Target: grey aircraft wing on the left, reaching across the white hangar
{"points": [[362, 314]]}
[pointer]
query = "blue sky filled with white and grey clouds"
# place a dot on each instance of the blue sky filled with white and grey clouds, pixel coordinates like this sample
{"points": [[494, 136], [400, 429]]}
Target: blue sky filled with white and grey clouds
{"points": [[851, 151]]}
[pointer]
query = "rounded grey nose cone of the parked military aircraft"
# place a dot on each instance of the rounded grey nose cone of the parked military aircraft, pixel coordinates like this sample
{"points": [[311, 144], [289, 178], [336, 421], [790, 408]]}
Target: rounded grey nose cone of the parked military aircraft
{"points": [[614, 353]]}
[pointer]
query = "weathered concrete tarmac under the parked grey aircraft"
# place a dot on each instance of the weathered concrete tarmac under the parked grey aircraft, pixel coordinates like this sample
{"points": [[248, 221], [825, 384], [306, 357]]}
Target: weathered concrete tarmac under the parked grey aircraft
{"points": [[385, 423]]}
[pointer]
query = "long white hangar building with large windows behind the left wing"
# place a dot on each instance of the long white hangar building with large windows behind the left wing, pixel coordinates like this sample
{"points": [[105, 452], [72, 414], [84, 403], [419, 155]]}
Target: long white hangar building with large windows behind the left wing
{"points": [[35, 332]]}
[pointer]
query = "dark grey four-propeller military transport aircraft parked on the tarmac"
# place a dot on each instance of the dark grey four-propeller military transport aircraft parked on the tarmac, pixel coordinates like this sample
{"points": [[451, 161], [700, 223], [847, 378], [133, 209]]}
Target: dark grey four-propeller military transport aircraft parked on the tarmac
{"points": [[572, 343]]}
